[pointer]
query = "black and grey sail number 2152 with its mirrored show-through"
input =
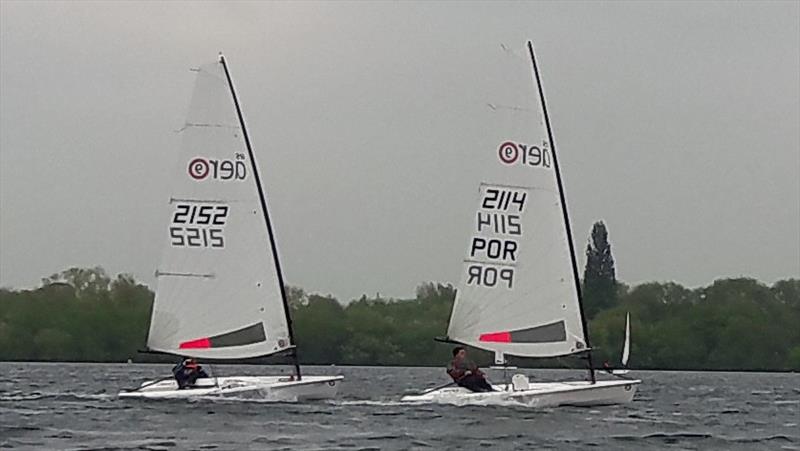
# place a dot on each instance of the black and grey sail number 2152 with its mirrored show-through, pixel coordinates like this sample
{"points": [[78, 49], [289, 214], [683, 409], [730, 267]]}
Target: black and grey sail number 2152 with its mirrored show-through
{"points": [[198, 225]]}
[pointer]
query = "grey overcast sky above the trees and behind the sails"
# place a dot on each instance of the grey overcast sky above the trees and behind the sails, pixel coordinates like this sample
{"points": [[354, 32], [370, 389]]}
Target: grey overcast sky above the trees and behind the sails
{"points": [[676, 123]]}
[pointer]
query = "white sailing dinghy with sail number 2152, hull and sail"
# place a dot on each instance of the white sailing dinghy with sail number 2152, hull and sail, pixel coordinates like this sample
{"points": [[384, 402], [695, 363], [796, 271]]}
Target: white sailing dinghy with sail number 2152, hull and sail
{"points": [[220, 293]]}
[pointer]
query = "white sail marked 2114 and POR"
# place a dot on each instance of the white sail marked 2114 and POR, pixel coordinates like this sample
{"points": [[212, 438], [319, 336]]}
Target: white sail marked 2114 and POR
{"points": [[518, 292]]}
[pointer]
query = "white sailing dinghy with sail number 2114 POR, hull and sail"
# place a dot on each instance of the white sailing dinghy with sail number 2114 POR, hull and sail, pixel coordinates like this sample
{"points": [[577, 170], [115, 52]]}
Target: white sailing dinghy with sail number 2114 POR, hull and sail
{"points": [[519, 292]]}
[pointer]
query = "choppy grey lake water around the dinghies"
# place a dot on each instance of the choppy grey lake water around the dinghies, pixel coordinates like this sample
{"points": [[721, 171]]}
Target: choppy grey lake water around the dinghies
{"points": [[73, 406]]}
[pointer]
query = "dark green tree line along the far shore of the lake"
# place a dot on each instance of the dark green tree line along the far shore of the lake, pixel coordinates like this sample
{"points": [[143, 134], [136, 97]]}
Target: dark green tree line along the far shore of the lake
{"points": [[82, 314]]}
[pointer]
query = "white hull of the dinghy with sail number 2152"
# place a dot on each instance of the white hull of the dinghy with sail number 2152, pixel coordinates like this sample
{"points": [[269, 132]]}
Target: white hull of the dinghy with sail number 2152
{"points": [[273, 388]]}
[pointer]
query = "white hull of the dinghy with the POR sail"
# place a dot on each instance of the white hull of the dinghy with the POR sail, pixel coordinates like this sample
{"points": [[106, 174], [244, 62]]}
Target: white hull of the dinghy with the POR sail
{"points": [[537, 395]]}
